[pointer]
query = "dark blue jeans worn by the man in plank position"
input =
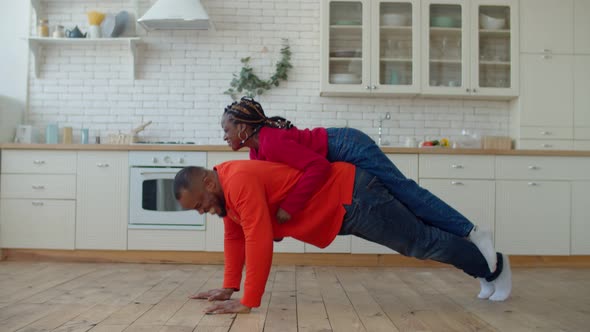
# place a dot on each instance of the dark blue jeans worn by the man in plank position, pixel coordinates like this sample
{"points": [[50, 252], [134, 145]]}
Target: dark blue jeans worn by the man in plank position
{"points": [[377, 216]]}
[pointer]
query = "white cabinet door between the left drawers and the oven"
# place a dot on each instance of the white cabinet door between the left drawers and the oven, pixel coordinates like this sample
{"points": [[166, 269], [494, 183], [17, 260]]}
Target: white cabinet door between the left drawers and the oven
{"points": [[102, 200]]}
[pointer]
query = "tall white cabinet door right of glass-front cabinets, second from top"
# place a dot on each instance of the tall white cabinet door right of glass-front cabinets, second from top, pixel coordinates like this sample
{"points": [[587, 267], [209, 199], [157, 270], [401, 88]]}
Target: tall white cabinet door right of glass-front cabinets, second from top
{"points": [[547, 88]]}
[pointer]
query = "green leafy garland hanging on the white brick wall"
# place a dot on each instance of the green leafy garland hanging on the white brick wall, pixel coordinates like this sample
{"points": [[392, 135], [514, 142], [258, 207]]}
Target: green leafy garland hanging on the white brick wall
{"points": [[249, 84]]}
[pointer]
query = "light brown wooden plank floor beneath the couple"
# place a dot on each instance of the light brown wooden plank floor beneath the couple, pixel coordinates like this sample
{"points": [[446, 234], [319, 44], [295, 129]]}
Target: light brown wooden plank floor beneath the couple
{"points": [[44, 296]]}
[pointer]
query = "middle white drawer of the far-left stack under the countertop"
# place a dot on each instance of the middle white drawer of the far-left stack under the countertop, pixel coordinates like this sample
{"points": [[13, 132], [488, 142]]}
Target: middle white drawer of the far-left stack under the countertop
{"points": [[39, 186]]}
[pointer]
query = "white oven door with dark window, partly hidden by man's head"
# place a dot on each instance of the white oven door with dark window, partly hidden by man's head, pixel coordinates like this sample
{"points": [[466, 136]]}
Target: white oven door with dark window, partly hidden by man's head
{"points": [[152, 201]]}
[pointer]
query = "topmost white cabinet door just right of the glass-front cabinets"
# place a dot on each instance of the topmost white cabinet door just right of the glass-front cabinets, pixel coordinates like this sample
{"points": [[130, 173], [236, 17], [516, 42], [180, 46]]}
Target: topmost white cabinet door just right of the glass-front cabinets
{"points": [[546, 26]]}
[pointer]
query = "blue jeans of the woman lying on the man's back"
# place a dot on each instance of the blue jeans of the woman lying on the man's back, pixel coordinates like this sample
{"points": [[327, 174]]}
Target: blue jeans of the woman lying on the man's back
{"points": [[355, 147]]}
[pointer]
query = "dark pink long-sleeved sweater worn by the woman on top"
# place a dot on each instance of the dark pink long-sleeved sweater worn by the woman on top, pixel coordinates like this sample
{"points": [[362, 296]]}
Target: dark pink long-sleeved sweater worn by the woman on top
{"points": [[302, 149]]}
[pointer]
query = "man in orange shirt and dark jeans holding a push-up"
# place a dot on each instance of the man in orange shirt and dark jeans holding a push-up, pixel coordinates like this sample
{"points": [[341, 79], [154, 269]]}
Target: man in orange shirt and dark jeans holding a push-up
{"points": [[247, 193]]}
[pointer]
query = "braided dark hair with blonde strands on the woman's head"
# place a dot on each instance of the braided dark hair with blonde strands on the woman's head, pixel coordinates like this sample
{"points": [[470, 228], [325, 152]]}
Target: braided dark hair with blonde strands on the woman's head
{"points": [[250, 112]]}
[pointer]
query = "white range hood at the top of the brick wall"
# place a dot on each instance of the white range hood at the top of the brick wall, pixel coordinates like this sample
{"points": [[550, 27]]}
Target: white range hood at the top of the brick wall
{"points": [[176, 15]]}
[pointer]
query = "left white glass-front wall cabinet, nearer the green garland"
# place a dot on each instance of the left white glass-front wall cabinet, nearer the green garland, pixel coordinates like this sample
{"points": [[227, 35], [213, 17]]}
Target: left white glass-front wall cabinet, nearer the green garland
{"points": [[370, 47]]}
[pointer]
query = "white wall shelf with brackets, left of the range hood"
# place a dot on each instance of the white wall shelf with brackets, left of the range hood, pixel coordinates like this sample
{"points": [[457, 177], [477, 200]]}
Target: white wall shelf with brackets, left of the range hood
{"points": [[37, 44]]}
